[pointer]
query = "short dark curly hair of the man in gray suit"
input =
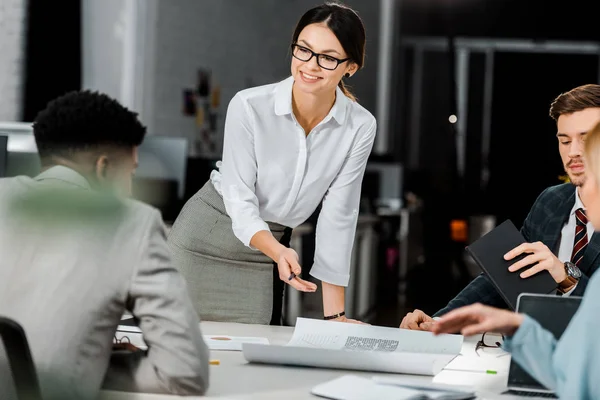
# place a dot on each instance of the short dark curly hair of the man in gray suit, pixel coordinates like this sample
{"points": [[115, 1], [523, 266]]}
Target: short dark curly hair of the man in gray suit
{"points": [[85, 120]]}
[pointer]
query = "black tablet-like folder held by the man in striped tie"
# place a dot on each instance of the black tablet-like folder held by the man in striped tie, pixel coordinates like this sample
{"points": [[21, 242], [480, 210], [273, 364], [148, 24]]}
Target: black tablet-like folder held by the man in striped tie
{"points": [[488, 252]]}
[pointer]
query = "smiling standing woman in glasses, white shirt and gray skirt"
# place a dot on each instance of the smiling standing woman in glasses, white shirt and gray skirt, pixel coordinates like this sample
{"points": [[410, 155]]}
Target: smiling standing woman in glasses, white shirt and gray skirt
{"points": [[288, 147]]}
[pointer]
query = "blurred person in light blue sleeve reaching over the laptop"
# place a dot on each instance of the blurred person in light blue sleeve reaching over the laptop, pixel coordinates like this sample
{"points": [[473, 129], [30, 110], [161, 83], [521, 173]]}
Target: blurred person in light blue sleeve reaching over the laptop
{"points": [[571, 365]]}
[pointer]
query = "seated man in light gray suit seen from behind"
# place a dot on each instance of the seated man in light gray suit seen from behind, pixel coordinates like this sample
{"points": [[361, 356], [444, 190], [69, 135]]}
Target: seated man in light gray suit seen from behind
{"points": [[75, 255]]}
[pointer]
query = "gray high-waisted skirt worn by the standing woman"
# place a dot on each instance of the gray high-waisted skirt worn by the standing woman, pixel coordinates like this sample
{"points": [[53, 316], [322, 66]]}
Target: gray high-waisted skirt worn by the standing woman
{"points": [[227, 281]]}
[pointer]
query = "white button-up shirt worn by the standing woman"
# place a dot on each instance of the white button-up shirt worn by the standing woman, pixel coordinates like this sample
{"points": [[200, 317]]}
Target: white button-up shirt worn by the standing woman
{"points": [[272, 171]]}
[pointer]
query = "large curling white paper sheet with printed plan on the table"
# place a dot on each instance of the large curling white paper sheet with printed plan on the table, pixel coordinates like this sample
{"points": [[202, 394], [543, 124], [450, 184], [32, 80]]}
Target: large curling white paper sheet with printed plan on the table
{"points": [[339, 345]]}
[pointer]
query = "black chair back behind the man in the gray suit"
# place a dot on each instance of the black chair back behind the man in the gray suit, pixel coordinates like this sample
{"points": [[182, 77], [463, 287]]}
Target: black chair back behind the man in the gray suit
{"points": [[20, 360]]}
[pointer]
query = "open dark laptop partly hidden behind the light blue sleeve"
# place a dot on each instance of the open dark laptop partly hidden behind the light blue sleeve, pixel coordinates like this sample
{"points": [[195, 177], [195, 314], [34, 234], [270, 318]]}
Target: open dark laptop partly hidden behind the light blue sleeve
{"points": [[554, 314]]}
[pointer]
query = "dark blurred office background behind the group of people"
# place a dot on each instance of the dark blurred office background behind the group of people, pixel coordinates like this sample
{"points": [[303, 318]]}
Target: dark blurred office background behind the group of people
{"points": [[461, 90]]}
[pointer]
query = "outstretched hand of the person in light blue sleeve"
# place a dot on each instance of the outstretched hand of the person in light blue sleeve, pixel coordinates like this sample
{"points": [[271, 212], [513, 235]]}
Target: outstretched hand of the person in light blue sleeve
{"points": [[478, 318]]}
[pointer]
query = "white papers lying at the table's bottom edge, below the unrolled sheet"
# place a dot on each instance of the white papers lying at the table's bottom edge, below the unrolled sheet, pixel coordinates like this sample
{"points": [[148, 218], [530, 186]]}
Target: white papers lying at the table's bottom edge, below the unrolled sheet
{"points": [[351, 387]]}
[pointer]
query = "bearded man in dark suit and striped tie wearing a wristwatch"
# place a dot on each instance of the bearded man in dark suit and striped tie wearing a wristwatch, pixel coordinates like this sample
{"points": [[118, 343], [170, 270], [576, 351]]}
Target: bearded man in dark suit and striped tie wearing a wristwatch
{"points": [[559, 236]]}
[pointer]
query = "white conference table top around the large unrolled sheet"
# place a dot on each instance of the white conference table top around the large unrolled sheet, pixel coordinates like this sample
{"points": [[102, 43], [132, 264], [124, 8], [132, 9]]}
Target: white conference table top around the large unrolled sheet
{"points": [[236, 379]]}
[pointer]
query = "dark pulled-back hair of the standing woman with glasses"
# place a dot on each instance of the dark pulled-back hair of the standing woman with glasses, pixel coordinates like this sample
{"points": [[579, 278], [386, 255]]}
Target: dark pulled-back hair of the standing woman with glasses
{"points": [[345, 24]]}
